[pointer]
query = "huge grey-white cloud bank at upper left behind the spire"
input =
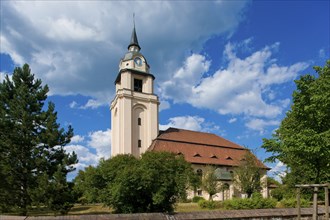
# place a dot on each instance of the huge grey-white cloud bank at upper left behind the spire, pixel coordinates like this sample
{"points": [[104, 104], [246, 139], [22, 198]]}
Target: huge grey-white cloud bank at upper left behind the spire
{"points": [[78, 54]]}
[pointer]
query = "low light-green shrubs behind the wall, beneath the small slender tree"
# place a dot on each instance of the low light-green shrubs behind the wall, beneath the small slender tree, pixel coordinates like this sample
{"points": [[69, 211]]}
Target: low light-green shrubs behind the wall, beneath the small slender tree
{"points": [[255, 202]]}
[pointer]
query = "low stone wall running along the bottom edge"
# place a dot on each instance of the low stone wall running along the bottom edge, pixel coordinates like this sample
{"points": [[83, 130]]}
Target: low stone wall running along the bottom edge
{"points": [[256, 214]]}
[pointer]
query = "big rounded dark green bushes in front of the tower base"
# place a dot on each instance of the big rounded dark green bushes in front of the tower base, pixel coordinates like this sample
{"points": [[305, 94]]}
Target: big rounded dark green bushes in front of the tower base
{"points": [[152, 183]]}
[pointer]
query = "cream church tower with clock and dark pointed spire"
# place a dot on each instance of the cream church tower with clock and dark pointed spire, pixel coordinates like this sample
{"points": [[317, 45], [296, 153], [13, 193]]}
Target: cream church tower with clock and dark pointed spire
{"points": [[134, 110]]}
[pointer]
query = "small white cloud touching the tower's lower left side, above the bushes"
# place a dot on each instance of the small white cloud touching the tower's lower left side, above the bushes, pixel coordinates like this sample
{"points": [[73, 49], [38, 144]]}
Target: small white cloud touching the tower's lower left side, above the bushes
{"points": [[101, 142]]}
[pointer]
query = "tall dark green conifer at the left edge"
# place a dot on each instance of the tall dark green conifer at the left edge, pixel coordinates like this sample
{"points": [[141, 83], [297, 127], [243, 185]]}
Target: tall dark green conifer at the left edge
{"points": [[32, 142]]}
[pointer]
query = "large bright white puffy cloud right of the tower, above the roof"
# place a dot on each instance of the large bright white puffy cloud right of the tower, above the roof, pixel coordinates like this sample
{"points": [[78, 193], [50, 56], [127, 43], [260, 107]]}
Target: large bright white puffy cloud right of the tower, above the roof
{"points": [[238, 89]]}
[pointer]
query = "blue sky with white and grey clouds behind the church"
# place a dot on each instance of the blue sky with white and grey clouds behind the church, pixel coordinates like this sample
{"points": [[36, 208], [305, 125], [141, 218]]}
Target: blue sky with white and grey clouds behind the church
{"points": [[225, 67]]}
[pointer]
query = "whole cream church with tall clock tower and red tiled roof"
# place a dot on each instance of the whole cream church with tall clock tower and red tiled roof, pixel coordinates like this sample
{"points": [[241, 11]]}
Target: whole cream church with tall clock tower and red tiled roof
{"points": [[134, 127]]}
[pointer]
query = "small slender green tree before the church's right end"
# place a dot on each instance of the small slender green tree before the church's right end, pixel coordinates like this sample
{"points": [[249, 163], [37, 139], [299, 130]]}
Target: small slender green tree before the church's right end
{"points": [[247, 175]]}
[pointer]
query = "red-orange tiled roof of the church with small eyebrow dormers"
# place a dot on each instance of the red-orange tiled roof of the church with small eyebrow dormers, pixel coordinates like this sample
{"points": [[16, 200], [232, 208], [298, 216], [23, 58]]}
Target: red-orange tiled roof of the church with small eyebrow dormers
{"points": [[200, 147]]}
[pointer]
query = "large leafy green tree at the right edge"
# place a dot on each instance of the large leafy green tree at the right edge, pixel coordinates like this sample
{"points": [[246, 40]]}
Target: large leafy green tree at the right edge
{"points": [[302, 141]]}
